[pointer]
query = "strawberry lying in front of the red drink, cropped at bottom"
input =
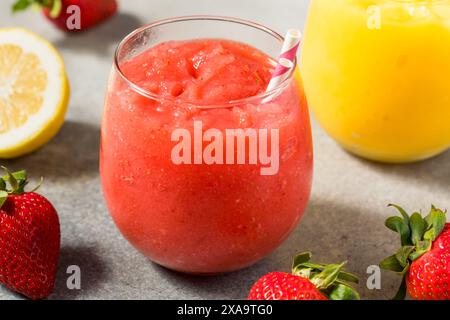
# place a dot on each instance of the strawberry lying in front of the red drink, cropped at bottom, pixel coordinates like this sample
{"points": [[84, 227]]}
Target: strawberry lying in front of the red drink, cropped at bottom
{"points": [[308, 281]]}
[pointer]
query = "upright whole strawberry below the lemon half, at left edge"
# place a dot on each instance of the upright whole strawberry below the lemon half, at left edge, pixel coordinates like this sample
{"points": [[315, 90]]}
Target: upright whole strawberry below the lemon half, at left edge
{"points": [[29, 238]]}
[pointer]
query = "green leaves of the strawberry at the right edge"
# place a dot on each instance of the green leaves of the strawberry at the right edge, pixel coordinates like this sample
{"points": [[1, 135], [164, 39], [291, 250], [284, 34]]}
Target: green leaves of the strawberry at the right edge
{"points": [[417, 235]]}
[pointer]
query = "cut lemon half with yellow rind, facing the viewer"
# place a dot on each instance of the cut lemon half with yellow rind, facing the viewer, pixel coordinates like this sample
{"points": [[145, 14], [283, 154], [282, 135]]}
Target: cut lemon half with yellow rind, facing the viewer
{"points": [[34, 92]]}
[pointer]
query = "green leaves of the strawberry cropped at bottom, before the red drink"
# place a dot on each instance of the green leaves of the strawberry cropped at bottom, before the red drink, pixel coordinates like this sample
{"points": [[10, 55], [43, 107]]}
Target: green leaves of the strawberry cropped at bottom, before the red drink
{"points": [[329, 279]]}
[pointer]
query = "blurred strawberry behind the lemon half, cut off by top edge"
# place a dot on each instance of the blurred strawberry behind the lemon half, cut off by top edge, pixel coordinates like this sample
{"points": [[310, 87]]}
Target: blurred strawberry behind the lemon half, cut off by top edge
{"points": [[61, 13]]}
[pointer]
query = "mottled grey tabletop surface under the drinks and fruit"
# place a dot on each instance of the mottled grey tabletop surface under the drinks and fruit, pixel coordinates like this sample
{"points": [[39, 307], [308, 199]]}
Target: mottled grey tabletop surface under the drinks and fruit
{"points": [[344, 220]]}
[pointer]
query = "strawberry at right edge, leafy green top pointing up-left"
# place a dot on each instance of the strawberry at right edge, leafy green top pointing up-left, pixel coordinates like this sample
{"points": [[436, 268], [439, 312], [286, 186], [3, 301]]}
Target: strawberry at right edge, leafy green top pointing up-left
{"points": [[423, 260]]}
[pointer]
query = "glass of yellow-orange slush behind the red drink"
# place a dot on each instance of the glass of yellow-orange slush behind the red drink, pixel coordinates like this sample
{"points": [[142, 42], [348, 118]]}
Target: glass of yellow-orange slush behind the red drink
{"points": [[377, 75]]}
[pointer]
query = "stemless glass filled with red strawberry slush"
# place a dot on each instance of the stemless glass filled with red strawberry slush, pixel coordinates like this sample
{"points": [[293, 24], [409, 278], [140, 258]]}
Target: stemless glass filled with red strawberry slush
{"points": [[179, 185]]}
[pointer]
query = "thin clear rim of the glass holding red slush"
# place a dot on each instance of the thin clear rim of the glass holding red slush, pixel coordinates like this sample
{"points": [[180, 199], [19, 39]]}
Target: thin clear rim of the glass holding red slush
{"points": [[161, 98]]}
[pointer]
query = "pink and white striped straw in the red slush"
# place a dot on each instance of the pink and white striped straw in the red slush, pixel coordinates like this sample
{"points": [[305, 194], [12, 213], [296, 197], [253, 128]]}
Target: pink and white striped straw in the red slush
{"points": [[286, 59]]}
